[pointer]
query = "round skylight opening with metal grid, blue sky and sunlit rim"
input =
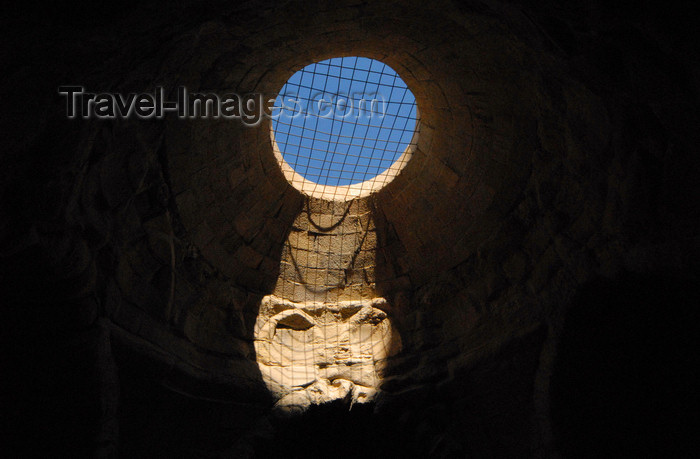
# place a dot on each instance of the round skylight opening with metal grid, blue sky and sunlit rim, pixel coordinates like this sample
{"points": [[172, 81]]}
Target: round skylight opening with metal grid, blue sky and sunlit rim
{"points": [[344, 127]]}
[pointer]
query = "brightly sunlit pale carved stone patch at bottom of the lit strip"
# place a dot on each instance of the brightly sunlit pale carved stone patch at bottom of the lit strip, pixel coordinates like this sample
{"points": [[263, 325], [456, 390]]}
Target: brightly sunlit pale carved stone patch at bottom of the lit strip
{"points": [[310, 353]]}
